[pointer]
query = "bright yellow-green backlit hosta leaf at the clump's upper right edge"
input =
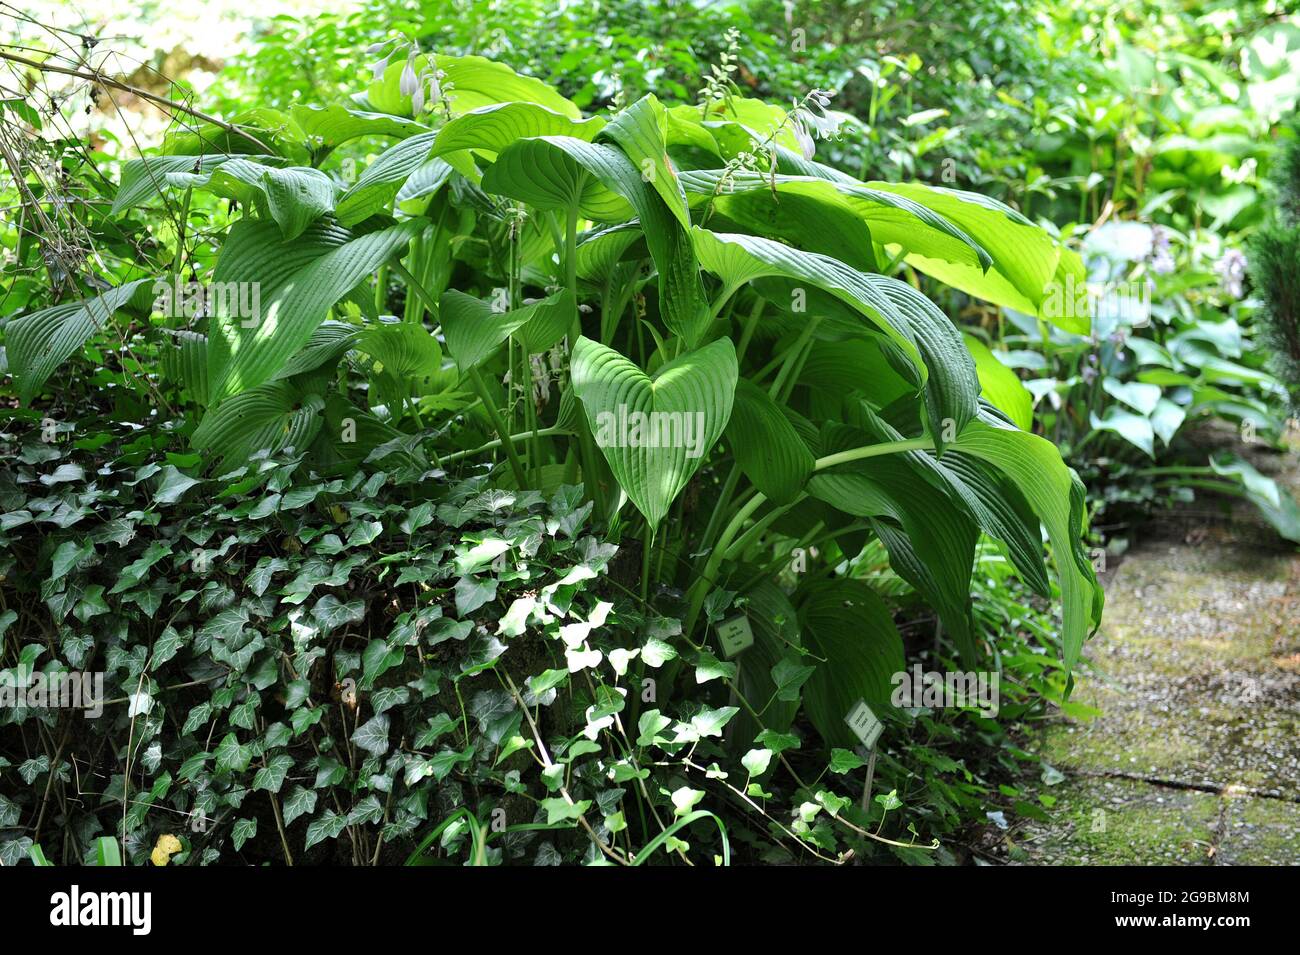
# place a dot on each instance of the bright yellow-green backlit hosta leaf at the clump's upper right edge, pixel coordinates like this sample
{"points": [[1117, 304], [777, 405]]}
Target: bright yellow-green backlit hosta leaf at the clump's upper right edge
{"points": [[1028, 263]]}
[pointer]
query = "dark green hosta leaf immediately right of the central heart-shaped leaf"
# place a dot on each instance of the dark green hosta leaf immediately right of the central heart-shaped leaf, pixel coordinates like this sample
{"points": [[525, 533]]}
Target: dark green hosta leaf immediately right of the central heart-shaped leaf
{"points": [[768, 448]]}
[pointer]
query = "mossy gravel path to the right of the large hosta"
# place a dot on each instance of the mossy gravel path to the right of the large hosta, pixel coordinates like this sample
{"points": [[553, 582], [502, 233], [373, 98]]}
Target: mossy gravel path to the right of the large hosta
{"points": [[1194, 758]]}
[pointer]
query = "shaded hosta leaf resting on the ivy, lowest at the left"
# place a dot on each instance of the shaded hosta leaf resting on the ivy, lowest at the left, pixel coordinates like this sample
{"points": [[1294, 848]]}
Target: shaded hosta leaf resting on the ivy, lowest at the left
{"points": [[270, 418]]}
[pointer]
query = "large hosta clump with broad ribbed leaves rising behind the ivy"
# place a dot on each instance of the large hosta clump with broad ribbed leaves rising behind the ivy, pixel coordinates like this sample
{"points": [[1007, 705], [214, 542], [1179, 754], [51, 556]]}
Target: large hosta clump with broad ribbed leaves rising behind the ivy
{"points": [[674, 307]]}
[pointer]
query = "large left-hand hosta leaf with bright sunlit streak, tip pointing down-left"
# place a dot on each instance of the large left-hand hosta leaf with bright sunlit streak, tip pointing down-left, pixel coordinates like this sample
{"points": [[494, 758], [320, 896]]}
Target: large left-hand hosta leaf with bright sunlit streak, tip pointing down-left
{"points": [[300, 281]]}
